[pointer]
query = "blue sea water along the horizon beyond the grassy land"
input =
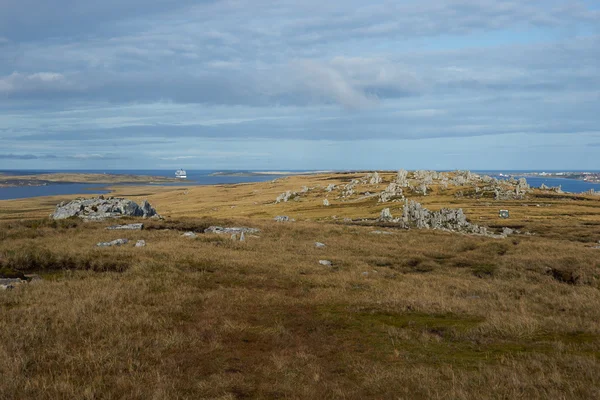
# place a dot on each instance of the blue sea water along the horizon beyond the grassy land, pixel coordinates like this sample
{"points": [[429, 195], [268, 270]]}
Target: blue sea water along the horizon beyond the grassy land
{"points": [[212, 177]]}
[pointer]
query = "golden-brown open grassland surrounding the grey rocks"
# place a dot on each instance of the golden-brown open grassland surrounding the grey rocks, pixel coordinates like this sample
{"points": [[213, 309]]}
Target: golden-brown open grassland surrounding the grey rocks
{"points": [[409, 315]]}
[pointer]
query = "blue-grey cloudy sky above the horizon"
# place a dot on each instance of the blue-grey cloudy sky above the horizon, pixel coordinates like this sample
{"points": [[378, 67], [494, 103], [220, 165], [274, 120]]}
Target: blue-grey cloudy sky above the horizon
{"points": [[290, 84]]}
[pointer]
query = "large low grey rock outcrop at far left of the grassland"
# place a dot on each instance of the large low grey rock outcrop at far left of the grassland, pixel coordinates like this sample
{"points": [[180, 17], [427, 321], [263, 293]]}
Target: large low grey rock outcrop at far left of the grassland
{"points": [[100, 208]]}
